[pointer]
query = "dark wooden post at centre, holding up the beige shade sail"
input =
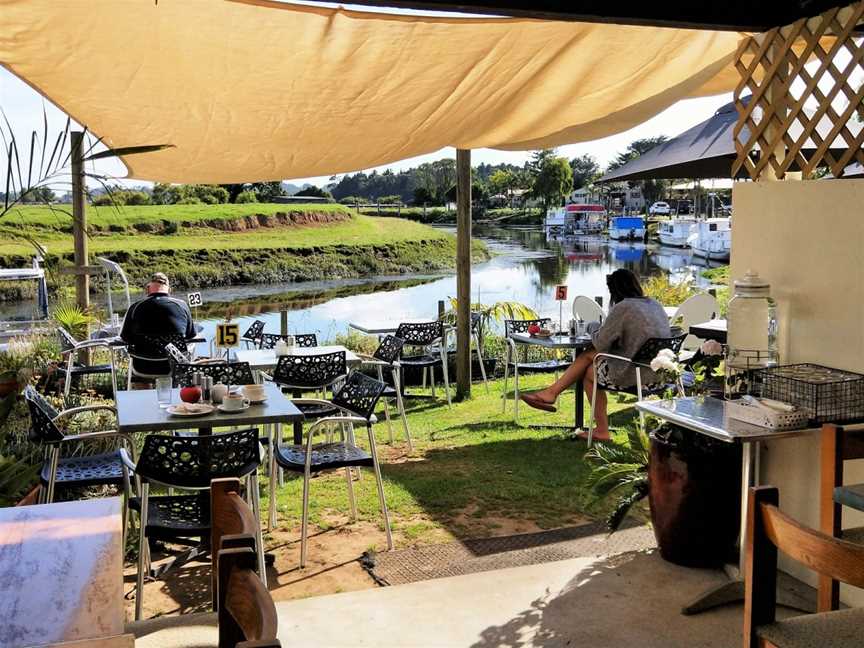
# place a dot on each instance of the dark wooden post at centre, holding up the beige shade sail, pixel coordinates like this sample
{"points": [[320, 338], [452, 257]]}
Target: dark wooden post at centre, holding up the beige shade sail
{"points": [[463, 273]]}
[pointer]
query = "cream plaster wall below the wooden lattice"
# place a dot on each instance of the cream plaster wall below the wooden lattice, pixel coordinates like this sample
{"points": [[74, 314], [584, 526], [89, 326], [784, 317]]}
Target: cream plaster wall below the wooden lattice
{"points": [[807, 239]]}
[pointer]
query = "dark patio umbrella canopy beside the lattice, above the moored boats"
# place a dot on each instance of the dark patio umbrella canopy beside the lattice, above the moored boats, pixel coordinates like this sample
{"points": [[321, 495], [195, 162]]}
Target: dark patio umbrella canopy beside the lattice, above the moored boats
{"points": [[705, 151]]}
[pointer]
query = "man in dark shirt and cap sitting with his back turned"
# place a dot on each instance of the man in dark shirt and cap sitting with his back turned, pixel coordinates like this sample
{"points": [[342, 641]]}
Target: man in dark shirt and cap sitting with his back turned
{"points": [[151, 320]]}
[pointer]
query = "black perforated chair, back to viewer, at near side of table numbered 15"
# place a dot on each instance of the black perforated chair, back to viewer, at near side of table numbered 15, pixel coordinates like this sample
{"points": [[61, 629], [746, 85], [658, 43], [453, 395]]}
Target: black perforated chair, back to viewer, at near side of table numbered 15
{"points": [[189, 463]]}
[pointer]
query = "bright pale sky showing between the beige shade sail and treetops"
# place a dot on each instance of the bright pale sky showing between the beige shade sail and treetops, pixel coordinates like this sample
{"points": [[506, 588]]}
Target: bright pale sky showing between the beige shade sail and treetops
{"points": [[23, 108]]}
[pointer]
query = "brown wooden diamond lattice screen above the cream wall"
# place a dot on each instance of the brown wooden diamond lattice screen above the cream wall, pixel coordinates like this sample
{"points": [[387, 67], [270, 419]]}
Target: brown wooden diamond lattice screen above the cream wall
{"points": [[807, 106]]}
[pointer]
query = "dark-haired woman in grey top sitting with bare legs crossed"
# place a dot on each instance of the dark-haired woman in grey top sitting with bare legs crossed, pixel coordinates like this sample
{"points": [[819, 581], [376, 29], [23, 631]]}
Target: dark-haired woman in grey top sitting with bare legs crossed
{"points": [[633, 320]]}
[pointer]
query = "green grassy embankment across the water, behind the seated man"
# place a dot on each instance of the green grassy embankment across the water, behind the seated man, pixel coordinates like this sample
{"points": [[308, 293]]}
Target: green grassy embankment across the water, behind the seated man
{"points": [[209, 245]]}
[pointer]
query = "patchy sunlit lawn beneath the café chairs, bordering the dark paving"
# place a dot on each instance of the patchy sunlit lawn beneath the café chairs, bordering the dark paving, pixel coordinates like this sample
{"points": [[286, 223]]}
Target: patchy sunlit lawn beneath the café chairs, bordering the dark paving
{"points": [[474, 472]]}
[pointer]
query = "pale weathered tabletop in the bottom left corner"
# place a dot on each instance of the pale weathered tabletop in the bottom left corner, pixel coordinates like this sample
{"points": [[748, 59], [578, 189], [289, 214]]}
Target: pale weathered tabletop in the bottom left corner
{"points": [[62, 567]]}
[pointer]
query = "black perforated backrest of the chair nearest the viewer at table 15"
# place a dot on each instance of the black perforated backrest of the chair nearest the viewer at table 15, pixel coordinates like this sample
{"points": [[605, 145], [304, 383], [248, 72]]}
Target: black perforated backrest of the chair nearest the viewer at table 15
{"points": [[193, 462]]}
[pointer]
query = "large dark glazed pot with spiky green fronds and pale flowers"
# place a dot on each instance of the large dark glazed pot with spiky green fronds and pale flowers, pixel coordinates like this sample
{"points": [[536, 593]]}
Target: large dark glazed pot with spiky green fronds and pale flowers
{"points": [[692, 482]]}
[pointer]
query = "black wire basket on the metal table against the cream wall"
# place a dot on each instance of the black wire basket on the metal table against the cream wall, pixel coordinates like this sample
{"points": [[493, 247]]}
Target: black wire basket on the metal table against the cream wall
{"points": [[827, 395]]}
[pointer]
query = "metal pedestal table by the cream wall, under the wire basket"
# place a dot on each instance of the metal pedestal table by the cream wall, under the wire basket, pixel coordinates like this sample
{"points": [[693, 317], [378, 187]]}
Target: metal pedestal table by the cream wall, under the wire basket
{"points": [[707, 415]]}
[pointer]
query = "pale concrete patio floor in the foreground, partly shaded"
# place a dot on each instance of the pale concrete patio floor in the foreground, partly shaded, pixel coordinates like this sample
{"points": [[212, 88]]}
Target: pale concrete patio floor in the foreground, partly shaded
{"points": [[631, 599]]}
